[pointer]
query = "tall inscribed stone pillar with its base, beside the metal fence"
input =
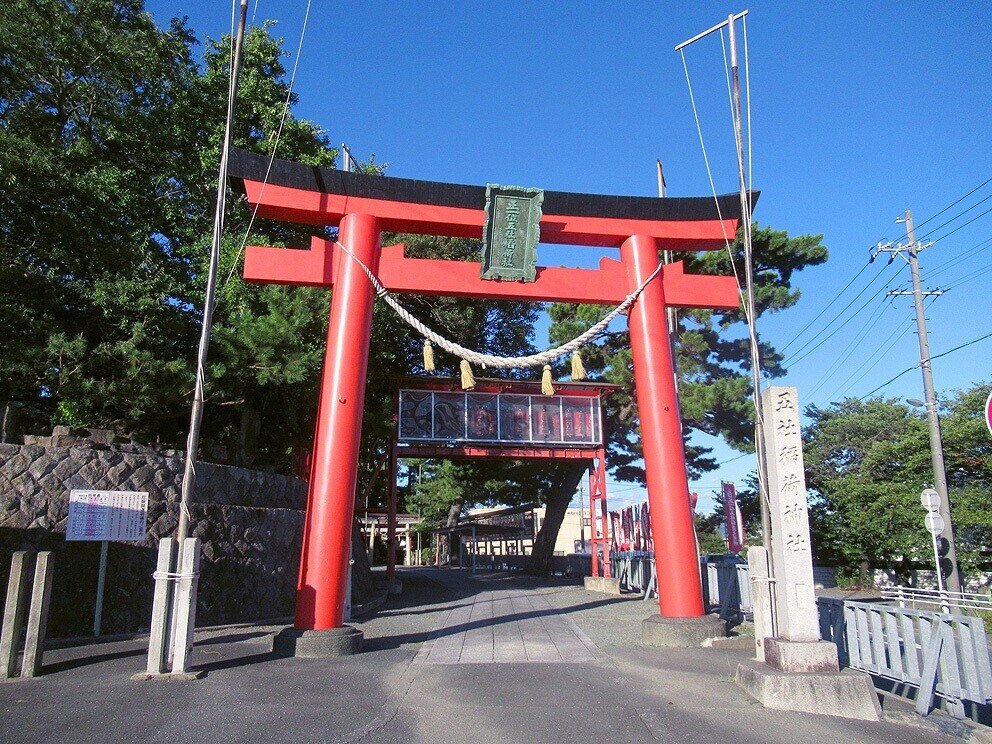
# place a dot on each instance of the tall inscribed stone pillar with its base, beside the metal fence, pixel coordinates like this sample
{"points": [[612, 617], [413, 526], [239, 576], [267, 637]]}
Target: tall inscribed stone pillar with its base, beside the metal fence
{"points": [[801, 672]]}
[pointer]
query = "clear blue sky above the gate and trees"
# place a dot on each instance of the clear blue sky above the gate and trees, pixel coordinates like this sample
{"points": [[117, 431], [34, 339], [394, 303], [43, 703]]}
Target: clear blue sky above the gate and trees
{"points": [[859, 113]]}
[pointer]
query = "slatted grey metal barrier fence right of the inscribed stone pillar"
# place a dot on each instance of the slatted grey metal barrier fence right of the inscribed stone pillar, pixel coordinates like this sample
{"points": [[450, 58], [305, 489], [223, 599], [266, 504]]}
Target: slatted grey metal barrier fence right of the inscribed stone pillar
{"points": [[941, 654]]}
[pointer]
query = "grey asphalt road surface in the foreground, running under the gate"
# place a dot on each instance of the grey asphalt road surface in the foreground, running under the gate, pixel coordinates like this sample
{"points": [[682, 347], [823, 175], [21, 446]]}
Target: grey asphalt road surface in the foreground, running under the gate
{"points": [[609, 690]]}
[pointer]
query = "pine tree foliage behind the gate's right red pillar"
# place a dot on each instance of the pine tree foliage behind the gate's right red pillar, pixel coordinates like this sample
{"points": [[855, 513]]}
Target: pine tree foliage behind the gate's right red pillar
{"points": [[712, 351]]}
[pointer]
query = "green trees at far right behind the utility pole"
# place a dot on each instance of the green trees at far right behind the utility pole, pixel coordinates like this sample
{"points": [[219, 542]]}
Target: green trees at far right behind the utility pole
{"points": [[866, 464]]}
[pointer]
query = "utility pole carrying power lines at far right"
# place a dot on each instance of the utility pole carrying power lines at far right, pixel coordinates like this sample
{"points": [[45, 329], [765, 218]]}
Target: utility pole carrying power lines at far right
{"points": [[933, 417]]}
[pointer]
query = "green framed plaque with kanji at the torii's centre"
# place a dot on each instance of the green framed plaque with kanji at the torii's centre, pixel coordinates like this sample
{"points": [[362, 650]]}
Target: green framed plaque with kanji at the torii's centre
{"points": [[511, 233]]}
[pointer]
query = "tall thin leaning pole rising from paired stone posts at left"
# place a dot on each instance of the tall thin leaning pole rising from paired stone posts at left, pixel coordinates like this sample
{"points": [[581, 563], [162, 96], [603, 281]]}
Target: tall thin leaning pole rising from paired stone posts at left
{"points": [[196, 414]]}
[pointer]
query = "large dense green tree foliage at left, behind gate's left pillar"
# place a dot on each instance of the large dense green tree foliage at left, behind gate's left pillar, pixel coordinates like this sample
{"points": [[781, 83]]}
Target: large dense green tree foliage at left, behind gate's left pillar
{"points": [[110, 134]]}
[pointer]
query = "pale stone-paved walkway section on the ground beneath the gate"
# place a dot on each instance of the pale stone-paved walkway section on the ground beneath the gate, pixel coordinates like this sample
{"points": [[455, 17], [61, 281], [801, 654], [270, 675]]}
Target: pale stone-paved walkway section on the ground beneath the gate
{"points": [[507, 626]]}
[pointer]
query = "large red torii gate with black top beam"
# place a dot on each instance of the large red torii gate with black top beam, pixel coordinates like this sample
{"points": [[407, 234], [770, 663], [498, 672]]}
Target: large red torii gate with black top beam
{"points": [[363, 206]]}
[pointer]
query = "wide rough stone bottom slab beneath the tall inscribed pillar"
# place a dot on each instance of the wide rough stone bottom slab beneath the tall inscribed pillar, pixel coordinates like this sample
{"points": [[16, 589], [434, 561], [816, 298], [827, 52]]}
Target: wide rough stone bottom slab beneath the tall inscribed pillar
{"points": [[847, 694]]}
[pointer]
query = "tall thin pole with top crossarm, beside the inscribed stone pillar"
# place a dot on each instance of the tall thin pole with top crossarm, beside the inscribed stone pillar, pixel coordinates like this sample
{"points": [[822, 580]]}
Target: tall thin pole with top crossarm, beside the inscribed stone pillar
{"points": [[759, 443]]}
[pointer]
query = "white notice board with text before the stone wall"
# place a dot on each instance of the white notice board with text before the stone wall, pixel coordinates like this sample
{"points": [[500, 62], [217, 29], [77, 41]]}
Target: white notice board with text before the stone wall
{"points": [[117, 516]]}
